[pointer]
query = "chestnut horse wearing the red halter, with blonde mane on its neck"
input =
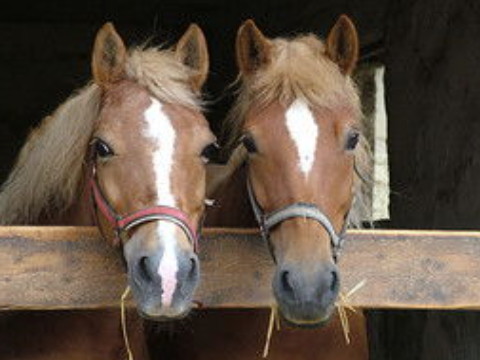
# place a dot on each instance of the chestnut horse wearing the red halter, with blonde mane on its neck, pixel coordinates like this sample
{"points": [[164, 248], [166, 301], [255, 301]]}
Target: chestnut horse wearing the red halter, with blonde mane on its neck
{"points": [[128, 151]]}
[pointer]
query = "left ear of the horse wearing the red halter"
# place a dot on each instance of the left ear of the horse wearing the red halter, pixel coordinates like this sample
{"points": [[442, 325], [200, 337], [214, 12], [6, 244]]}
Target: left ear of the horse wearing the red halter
{"points": [[109, 55]]}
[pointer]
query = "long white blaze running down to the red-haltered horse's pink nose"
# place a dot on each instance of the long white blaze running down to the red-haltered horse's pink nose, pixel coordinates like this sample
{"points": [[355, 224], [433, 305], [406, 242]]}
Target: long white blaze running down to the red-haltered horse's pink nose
{"points": [[160, 130]]}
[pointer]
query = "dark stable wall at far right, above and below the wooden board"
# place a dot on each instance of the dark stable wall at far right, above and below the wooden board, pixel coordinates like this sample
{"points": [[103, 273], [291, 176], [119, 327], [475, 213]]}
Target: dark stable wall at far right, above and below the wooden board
{"points": [[433, 101]]}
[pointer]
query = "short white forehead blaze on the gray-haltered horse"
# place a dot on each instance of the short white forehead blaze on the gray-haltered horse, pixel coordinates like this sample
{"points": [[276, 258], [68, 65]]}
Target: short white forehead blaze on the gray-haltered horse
{"points": [[303, 130]]}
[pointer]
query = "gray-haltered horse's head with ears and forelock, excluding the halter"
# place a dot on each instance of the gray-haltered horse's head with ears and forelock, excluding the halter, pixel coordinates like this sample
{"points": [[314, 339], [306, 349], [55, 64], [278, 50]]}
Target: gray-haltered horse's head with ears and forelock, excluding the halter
{"points": [[301, 153]]}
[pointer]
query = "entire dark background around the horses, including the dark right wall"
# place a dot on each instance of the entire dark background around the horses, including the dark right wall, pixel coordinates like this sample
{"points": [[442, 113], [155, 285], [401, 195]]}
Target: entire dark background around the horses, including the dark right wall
{"points": [[431, 50]]}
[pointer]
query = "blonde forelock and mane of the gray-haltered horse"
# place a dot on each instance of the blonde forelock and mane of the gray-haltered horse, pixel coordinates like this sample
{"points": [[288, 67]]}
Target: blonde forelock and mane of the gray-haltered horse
{"points": [[299, 69]]}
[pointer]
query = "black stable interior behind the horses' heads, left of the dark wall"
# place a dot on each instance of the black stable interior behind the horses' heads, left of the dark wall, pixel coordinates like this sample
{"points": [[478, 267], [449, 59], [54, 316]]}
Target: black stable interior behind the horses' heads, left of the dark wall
{"points": [[45, 46]]}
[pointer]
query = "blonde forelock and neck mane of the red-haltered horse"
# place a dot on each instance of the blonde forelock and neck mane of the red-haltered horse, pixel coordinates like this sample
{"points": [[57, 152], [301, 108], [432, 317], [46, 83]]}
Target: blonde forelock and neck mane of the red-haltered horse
{"points": [[48, 176]]}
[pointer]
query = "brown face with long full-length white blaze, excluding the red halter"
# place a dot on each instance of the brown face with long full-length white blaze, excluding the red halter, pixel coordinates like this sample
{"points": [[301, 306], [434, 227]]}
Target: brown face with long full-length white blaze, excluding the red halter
{"points": [[150, 153]]}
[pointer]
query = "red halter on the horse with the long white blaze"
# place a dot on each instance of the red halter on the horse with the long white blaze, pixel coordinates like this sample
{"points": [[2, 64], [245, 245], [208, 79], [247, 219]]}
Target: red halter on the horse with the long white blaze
{"points": [[122, 224]]}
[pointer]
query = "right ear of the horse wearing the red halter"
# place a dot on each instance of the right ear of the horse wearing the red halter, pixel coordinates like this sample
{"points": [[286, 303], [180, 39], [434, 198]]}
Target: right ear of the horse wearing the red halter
{"points": [[192, 50]]}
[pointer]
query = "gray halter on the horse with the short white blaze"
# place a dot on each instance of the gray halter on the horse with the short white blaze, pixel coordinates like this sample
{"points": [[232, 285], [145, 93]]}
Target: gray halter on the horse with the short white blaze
{"points": [[267, 221]]}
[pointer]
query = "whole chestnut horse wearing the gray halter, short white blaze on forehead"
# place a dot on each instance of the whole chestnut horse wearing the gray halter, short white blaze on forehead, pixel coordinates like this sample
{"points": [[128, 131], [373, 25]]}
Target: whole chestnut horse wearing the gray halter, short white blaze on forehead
{"points": [[297, 115]]}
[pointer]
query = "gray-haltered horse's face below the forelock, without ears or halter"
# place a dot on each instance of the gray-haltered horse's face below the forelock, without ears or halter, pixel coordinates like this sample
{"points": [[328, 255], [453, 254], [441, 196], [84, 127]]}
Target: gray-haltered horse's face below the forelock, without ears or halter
{"points": [[299, 154]]}
